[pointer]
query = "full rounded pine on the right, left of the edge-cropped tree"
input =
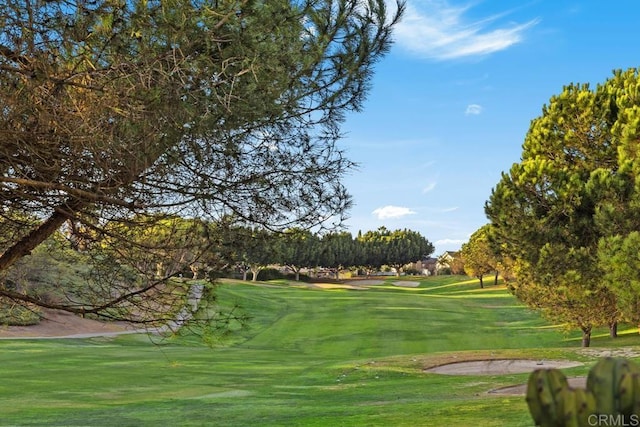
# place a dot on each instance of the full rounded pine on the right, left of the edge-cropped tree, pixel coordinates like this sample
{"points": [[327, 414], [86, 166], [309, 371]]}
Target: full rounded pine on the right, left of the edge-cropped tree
{"points": [[542, 211]]}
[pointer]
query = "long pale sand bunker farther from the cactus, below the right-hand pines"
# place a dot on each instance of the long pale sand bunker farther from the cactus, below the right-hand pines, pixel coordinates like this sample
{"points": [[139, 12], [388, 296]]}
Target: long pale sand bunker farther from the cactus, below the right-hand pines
{"points": [[499, 367]]}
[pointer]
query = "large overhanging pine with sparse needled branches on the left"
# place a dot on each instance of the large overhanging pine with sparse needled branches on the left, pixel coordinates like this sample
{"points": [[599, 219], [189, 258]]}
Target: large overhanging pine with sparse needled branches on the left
{"points": [[117, 109]]}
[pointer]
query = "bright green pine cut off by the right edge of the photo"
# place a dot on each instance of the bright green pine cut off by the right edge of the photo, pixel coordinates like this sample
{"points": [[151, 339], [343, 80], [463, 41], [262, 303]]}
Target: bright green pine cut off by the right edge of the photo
{"points": [[617, 190]]}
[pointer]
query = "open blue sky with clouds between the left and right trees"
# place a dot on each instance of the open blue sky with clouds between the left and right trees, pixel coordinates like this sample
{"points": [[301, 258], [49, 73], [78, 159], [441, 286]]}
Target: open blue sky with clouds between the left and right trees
{"points": [[451, 104]]}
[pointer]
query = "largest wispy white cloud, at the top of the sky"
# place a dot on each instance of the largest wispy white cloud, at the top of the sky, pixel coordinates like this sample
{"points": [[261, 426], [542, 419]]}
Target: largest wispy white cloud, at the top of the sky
{"points": [[434, 29]]}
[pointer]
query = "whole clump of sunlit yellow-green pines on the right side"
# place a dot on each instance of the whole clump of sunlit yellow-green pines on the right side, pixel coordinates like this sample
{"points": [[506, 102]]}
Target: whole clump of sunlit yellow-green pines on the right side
{"points": [[565, 220]]}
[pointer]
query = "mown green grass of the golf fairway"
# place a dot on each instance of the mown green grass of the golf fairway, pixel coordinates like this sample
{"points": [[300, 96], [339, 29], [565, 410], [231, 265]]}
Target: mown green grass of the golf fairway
{"points": [[310, 357]]}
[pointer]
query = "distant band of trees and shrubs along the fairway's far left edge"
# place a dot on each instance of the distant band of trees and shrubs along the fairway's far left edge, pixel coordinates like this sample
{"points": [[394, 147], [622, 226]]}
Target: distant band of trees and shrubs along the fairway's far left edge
{"points": [[57, 270]]}
